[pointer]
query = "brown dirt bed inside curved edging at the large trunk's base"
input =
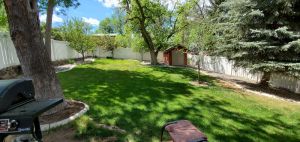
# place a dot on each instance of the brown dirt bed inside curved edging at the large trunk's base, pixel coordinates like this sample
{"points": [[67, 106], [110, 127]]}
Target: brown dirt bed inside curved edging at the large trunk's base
{"points": [[72, 108]]}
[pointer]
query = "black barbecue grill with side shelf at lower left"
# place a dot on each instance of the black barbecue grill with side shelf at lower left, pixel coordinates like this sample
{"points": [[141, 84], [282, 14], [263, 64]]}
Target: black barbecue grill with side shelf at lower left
{"points": [[19, 111]]}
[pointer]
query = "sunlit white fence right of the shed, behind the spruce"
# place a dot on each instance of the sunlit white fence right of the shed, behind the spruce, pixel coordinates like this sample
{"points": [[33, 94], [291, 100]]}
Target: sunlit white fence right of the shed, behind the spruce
{"points": [[223, 66]]}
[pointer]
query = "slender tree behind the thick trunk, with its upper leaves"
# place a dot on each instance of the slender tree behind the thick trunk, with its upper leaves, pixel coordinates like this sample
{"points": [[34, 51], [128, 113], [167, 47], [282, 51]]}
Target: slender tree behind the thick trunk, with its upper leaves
{"points": [[48, 6]]}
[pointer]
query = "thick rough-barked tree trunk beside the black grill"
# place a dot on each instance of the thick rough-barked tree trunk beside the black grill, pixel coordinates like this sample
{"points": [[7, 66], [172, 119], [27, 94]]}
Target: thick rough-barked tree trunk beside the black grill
{"points": [[26, 35]]}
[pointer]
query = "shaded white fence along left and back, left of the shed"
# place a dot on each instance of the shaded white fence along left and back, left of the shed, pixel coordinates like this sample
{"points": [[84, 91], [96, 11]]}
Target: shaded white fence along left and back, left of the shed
{"points": [[61, 51]]}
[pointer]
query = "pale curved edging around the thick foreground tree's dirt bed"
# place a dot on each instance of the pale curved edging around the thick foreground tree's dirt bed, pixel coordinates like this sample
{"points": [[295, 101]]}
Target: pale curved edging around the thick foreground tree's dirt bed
{"points": [[46, 127]]}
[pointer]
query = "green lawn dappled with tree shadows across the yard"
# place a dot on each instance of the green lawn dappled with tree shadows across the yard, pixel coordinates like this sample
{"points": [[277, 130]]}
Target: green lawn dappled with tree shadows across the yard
{"points": [[140, 99]]}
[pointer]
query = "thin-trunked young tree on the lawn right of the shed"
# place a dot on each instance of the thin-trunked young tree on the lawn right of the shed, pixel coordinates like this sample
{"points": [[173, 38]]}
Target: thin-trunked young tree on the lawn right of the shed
{"points": [[199, 36]]}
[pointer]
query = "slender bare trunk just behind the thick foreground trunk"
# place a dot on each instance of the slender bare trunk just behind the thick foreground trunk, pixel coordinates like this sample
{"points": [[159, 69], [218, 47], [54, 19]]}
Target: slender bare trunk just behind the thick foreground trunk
{"points": [[50, 8]]}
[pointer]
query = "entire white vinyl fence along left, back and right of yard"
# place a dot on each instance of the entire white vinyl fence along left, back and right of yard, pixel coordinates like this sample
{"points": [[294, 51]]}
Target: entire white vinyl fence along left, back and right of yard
{"points": [[60, 51]]}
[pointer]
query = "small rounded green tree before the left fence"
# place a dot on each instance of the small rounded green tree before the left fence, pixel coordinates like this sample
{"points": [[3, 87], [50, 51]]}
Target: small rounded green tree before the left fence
{"points": [[76, 33]]}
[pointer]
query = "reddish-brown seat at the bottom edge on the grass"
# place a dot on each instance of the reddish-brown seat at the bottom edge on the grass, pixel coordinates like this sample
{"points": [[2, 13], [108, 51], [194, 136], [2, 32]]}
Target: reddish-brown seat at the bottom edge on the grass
{"points": [[183, 131]]}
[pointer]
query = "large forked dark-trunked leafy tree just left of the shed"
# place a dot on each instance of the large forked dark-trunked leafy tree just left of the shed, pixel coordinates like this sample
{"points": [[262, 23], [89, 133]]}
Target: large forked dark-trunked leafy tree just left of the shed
{"points": [[156, 22]]}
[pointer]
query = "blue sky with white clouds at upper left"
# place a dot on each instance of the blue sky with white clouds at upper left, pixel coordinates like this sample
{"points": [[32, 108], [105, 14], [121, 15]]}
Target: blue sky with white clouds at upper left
{"points": [[91, 11]]}
